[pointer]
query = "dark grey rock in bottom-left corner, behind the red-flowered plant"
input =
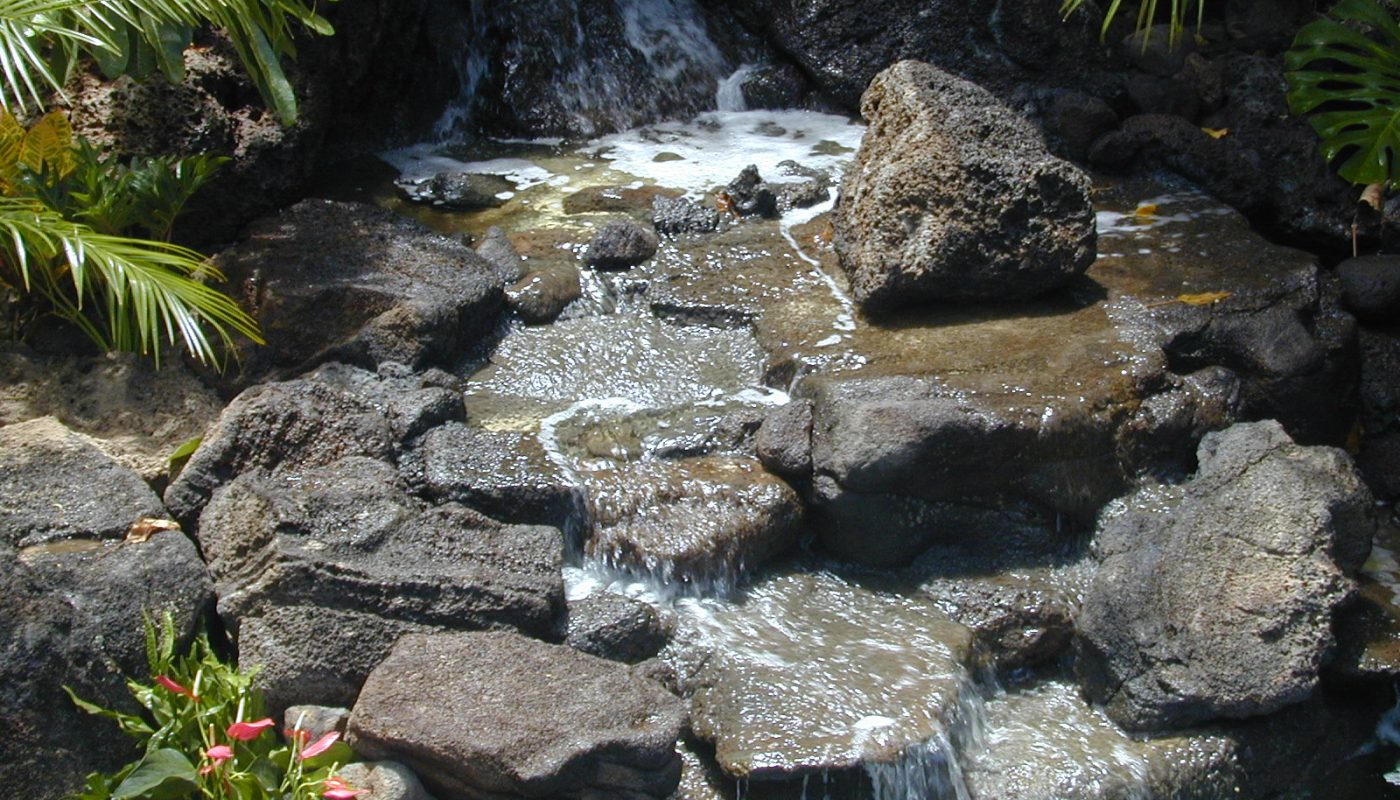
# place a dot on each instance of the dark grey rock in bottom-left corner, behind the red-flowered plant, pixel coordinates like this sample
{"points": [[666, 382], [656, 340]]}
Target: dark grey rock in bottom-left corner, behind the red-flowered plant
{"points": [[71, 616]]}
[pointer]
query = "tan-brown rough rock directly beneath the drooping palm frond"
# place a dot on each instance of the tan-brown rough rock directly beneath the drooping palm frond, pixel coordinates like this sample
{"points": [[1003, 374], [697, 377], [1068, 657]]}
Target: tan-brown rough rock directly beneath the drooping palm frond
{"points": [[132, 411]]}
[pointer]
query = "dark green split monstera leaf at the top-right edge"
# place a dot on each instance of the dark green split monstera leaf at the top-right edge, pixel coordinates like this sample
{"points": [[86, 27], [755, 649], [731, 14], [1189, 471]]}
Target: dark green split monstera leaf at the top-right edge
{"points": [[1345, 74]]}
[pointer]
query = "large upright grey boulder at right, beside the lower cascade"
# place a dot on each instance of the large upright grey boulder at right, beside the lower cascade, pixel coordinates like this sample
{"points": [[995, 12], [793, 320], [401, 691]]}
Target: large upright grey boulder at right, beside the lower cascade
{"points": [[1216, 599]]}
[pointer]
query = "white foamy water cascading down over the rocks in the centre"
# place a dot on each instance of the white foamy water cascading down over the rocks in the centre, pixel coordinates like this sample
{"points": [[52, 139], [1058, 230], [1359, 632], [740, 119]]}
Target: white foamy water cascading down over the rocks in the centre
{"points": [[808, 680]]}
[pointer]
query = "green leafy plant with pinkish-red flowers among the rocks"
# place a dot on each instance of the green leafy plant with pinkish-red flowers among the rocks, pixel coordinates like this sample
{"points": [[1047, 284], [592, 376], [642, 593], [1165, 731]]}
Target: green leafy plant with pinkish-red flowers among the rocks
{"points": [[204, 736]]}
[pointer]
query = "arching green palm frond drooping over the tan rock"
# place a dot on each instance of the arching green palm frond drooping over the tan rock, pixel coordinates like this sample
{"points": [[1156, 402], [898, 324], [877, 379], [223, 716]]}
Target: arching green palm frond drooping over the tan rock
{"points": [[143, 288]]}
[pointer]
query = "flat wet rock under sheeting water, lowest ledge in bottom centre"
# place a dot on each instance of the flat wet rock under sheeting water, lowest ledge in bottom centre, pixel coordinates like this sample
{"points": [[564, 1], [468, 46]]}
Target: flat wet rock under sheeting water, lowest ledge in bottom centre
{"points": [[848, 677]]}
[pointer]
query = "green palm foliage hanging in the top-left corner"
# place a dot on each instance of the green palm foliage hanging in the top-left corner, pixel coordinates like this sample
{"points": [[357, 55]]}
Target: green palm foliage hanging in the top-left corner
{"points": [[41, 43]]}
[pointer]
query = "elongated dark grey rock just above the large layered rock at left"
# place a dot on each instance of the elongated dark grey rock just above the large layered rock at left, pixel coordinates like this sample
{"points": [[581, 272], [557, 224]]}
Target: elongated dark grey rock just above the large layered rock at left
{"points": [[335, 413]]}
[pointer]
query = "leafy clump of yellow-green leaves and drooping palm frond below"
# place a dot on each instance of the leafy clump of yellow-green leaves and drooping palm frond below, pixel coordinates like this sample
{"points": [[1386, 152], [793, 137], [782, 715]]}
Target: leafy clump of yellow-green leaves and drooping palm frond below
{"points": [[68, 221]]}
